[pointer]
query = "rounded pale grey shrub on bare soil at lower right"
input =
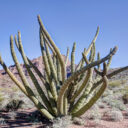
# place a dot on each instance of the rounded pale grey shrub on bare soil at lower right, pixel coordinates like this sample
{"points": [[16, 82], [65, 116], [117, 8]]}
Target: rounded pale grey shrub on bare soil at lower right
{"points": [[114, 115]]}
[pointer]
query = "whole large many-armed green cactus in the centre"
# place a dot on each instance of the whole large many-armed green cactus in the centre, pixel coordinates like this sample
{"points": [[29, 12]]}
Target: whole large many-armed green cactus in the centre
{"points": [[72, 95]]}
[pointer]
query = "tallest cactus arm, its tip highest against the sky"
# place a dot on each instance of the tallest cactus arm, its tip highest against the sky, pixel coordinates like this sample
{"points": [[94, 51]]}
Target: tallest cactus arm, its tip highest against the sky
{"points": [[55, 49]]}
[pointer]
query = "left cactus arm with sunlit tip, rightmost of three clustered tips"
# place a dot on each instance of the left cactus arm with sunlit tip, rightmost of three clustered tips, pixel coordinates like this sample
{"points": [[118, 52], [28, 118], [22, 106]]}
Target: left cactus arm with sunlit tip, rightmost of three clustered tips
{"points": [[33, 78]]}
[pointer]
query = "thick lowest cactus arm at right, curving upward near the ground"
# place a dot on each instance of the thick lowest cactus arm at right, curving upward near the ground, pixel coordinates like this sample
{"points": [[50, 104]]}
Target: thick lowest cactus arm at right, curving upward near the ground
{"points": [[93, 99]]}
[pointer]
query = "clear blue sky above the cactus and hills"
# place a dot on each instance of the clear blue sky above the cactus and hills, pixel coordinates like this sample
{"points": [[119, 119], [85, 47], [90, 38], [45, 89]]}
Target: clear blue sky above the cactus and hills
{"points": [[66, 21]]}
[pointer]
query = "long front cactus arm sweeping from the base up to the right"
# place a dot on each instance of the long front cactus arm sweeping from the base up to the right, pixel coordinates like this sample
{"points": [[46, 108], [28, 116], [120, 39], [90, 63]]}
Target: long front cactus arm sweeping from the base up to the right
{"points": [[75, 75]]}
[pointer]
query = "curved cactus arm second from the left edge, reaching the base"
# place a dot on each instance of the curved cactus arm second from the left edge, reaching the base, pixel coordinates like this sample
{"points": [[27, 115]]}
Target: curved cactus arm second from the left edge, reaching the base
{"points": [[31, 95]]}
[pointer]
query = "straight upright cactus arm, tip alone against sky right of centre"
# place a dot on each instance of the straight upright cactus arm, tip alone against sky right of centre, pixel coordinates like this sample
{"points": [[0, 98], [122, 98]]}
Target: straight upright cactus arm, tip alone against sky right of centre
{"points": [[73, 58]]}
